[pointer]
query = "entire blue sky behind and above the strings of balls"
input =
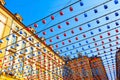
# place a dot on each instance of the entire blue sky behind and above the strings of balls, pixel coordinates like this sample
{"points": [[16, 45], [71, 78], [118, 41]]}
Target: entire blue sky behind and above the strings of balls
{"points": [[32, 11]]}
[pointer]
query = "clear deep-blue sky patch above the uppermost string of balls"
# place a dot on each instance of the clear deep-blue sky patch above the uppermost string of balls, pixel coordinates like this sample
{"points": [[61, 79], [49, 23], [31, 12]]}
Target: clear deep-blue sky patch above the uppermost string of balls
{"points": [[34, 10]]}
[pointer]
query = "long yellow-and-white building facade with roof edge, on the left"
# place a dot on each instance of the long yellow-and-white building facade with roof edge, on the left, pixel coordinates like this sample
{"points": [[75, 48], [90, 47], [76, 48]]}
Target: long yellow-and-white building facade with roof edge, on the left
{"points": [[23, 55]]}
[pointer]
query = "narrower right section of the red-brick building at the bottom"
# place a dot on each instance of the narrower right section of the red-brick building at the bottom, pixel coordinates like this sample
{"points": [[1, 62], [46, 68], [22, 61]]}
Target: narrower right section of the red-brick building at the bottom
{"points": [[98, 69]]}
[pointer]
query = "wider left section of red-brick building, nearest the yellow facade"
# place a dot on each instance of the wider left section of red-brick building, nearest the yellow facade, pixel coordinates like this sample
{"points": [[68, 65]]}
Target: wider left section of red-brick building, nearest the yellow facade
{"points": [[80, 68]]}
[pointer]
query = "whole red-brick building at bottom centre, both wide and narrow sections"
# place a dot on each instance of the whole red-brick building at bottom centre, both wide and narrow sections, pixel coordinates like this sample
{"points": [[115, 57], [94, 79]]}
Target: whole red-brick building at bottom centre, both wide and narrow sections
{"points": [[84, 68]]}
